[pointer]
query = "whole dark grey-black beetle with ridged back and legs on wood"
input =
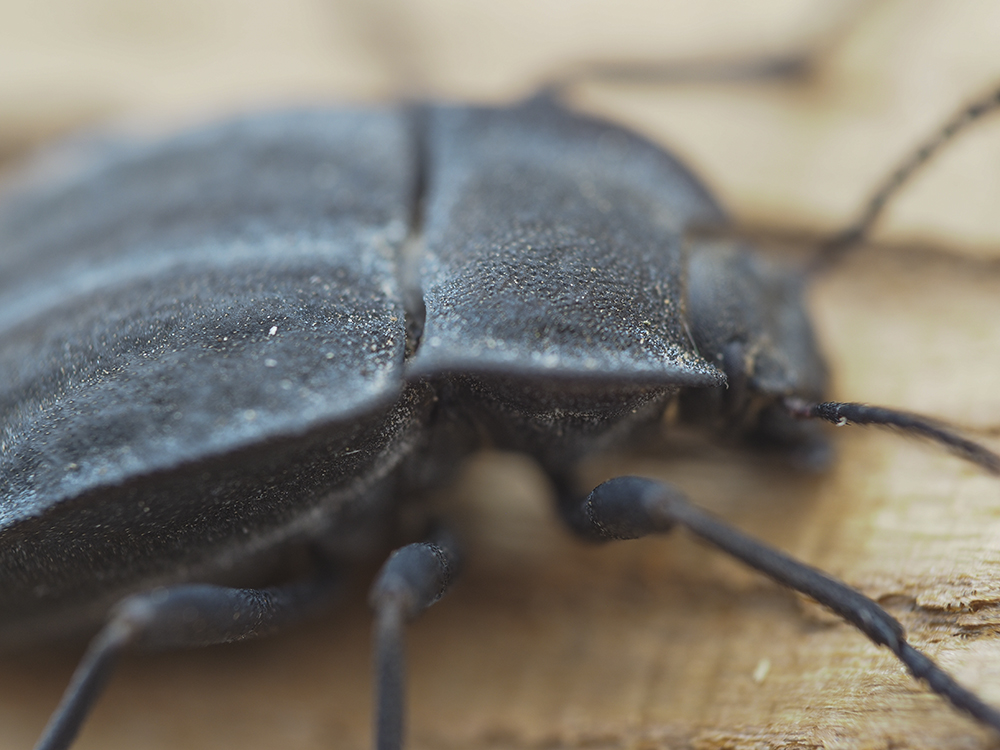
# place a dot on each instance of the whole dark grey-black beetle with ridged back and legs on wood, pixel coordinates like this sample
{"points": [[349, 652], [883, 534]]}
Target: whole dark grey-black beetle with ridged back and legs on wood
{"points": [[265, 335]]}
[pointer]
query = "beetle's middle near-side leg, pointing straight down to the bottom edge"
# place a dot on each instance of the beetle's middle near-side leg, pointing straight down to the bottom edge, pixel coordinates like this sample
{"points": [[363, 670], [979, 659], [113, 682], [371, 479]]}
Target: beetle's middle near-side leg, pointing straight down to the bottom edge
{"points": [[412, 579]]}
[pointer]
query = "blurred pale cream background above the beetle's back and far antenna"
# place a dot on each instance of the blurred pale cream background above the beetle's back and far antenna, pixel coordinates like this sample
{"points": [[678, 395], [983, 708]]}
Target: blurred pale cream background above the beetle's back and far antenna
{"points": [[802, 154]]}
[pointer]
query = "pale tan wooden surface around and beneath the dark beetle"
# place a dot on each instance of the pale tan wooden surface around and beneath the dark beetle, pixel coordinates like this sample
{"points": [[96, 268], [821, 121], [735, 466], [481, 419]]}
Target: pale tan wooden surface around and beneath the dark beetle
{"points": [[661, 643]]}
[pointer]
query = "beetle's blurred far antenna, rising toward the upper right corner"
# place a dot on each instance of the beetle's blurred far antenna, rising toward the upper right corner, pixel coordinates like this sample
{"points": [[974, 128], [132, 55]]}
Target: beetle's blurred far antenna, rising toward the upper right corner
{"points": [[836, 247]]}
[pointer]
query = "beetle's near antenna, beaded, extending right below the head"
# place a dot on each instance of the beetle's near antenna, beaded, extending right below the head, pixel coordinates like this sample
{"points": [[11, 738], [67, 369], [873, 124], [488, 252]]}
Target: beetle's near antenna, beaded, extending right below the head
{"points": [[912, 424]]}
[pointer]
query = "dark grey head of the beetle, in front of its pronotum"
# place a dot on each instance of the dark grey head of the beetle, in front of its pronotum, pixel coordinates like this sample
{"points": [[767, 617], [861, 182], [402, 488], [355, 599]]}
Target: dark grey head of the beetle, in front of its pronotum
{"points": [[747, 315]]}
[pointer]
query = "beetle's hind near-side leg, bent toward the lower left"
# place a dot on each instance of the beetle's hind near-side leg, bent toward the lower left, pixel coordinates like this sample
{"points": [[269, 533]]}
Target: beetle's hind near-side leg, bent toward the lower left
{"points": [[174, 617]]}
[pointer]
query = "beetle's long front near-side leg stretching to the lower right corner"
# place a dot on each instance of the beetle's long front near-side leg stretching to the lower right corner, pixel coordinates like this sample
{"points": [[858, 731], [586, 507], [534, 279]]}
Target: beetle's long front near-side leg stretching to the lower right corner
{"points": [[631, 507]]}
